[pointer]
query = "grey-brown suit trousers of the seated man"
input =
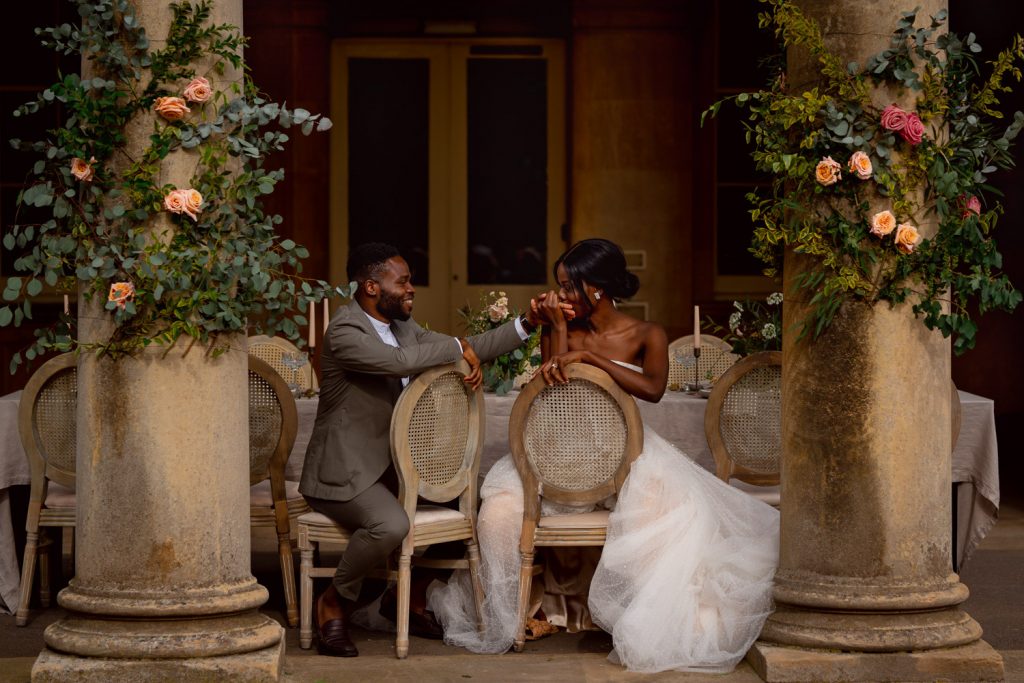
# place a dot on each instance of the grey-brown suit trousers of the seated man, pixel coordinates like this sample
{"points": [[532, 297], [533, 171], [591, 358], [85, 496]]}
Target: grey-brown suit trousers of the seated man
{"points": [[378, 525]]}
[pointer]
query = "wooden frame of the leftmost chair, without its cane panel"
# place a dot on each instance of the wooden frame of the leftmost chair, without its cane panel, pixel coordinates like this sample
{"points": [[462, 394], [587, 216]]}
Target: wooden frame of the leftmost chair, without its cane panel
{"points": [[42, 473]]}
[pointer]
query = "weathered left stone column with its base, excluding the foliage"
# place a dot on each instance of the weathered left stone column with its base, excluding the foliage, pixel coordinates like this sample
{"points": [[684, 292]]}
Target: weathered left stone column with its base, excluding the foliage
{"points": [[163, 588]]}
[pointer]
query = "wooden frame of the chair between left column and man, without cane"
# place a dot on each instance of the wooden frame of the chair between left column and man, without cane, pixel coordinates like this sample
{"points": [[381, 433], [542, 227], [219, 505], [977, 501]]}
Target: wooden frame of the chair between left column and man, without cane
{"points": [[283, 513]]}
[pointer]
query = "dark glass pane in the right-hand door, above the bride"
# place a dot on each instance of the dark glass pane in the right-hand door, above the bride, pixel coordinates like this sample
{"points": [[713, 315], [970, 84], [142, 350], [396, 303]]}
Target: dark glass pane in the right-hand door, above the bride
{"points": [[507, 159]]}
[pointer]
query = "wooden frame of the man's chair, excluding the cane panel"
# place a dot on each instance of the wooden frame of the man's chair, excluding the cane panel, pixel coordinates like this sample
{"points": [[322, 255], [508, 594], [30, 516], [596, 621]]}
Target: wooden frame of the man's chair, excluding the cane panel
{"points": [[412, 488]]}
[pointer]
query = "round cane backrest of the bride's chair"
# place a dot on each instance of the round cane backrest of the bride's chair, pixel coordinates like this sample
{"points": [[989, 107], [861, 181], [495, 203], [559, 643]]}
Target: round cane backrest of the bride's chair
{"points": [[574, 443]]}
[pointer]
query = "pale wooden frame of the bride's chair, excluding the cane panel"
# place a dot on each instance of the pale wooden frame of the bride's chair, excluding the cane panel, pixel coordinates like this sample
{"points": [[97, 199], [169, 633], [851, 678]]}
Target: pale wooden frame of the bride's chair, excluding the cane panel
{"points": [[537, 488]]}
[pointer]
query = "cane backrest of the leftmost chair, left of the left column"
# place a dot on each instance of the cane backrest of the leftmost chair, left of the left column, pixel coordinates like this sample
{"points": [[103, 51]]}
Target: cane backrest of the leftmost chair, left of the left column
{"points": [[48, 422]]}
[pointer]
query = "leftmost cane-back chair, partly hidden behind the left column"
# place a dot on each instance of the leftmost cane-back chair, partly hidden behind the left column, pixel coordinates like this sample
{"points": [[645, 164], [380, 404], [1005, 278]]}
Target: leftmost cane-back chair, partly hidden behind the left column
{"points": [[47, 424]]}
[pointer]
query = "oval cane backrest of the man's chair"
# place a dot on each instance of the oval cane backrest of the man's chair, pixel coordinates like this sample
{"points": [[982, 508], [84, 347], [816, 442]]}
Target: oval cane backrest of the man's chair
{"points": [[438, 438]]}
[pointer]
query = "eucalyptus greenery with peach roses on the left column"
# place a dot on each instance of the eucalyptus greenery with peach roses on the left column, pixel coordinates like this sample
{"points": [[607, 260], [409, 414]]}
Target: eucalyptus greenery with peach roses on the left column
{"points": [[200, 261]]}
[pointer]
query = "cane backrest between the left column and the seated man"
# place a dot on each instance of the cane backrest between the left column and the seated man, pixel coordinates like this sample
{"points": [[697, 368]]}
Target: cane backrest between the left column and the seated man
{"points": [[273, 424]]}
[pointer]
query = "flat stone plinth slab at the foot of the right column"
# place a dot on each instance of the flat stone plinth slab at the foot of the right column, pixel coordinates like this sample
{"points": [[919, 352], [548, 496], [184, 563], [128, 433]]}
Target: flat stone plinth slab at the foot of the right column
{"points": [[776, 664]]}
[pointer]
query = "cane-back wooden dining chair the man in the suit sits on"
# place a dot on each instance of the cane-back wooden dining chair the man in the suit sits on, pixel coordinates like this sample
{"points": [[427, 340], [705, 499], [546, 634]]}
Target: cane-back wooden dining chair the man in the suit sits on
{"points": [[437, 440]]}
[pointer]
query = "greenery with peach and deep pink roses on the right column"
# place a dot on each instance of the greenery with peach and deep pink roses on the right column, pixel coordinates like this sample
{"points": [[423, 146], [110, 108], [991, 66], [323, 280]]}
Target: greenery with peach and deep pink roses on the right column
{"points": [[884, 203]]}
